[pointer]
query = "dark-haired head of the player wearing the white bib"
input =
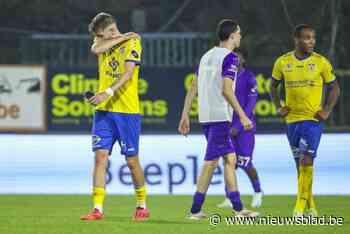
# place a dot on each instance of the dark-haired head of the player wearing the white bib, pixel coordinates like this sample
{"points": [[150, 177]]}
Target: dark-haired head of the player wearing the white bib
{"points": [[229, 30]]}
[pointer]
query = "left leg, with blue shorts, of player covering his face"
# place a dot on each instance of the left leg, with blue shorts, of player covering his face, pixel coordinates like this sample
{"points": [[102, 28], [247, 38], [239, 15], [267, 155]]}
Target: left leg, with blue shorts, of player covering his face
{"points": [[102, 142]]}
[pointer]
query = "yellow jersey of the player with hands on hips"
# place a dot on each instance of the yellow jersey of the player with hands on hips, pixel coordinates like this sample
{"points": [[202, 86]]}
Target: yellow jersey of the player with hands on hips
{"points": [[303, 80]]}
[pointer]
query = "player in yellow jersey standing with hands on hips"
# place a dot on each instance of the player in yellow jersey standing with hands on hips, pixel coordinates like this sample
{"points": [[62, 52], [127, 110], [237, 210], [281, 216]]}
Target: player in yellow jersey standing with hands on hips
{"points": [[304, 73]]}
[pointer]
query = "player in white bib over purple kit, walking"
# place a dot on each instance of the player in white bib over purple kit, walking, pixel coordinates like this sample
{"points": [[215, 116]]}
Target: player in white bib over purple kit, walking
{"points": [[215, 86]]}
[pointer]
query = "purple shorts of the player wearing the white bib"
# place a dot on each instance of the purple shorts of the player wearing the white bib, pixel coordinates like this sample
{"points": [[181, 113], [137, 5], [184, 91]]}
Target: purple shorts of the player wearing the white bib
{"points": [[219, 141]]}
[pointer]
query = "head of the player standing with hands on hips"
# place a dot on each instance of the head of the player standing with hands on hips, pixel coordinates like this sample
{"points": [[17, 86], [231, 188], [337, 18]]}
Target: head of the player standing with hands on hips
{"points": [[304, 38]]}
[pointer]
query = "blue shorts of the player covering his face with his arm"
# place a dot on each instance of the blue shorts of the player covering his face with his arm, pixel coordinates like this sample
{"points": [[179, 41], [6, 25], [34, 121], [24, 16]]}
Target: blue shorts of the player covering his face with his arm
{"points": [[109, 127]]}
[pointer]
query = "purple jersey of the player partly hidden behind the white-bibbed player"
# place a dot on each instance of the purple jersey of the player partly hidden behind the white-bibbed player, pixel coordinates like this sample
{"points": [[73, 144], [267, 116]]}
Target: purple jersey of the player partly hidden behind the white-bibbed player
{"points": [[246, 93]]}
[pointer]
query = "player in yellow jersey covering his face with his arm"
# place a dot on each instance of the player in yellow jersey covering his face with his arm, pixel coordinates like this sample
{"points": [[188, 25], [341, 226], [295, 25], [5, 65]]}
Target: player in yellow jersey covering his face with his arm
{"points": [[117, 116]]}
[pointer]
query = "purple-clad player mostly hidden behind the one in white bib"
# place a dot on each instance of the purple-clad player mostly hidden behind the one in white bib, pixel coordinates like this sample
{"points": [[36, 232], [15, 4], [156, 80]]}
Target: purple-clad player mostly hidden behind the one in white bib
{"points": [[244, 140]]}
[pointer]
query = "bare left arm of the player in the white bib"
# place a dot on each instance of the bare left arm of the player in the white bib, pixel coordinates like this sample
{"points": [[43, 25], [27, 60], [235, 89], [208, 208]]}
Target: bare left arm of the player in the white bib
{"points": [[184, 124]]}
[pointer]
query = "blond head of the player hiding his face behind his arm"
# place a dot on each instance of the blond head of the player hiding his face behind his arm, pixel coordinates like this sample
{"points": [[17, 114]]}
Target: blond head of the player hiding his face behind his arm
{"points": [[103, 25]]}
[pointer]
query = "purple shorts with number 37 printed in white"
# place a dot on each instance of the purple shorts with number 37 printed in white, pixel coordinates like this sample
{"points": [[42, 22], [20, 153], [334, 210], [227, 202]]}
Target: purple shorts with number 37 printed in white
{"points": [[244, 144]]}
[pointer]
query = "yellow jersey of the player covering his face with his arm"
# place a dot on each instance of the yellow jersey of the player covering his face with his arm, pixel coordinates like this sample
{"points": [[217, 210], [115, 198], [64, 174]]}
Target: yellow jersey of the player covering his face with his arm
{"points": [[111, 67]]}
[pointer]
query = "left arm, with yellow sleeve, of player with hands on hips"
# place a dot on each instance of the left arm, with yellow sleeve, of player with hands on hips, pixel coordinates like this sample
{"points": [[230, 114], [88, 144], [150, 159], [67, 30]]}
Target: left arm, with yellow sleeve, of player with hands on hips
{"points": [[276, 78]]}
